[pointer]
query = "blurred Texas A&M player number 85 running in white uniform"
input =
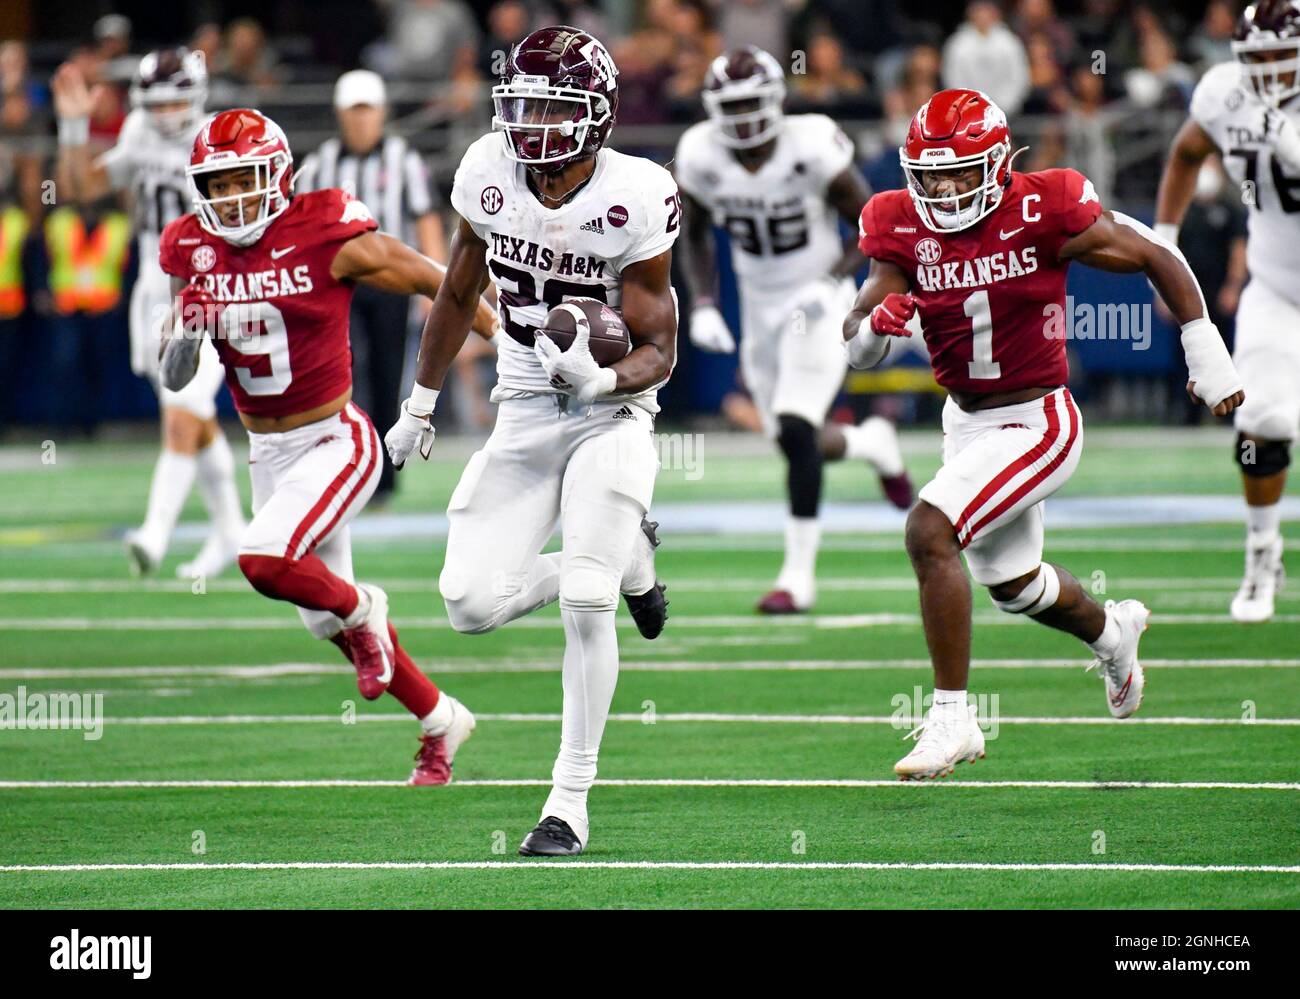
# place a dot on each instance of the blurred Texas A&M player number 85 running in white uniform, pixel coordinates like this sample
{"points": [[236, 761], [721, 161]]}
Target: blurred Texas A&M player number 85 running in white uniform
{"points": [[779, 185]]}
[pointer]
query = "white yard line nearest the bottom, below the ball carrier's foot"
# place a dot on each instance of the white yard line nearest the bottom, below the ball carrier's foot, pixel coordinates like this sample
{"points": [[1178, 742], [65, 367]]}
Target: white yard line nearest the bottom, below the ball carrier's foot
{"points": [[656, 866]]}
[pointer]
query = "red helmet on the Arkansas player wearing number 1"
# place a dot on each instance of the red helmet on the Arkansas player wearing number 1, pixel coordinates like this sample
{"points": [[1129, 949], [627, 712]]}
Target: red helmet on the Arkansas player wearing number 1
{"points": [[955, 131]]}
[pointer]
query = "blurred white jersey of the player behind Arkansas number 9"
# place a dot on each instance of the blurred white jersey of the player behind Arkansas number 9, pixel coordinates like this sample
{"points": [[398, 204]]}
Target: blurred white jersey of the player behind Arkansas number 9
{"points": [[153, 167]]}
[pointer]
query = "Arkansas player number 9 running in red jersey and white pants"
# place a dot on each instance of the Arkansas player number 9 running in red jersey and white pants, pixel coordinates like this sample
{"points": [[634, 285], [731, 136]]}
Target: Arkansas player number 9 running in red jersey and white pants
{"points": [[268, 276]]}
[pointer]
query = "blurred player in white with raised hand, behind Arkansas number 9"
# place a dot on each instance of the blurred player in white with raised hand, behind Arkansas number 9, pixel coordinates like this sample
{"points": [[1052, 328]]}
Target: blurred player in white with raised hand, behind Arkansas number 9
{"points": [[150, 159]]}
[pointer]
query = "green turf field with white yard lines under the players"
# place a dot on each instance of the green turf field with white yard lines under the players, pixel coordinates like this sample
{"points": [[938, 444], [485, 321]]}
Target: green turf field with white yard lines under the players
{"points": [[749, 763]]}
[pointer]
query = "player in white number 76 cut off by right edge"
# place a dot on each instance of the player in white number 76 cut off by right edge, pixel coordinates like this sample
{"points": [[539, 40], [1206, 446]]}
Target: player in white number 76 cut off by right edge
{"points": [[1250, 111]]}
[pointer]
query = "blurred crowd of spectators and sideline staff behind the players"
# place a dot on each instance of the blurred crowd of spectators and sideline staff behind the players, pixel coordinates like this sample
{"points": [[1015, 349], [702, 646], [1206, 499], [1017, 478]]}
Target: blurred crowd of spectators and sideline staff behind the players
{"points": [[1084, 81]]}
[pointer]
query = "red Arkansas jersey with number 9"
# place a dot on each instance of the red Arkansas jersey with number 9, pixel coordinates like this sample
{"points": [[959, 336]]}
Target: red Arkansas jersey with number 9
{"points": [[284, 332]]}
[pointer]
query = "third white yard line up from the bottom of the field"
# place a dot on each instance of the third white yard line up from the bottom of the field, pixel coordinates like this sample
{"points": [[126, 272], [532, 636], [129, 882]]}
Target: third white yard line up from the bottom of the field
{"points": [[707, 717]]}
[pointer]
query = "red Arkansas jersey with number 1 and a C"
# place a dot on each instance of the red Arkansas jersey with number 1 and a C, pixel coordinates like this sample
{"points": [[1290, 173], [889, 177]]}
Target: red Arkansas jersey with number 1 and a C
{"points": [[991, 299]]}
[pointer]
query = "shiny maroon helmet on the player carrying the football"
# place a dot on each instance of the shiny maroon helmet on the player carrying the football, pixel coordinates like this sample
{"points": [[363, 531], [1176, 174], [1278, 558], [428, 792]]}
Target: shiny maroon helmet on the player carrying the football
{"points": [[558, 101]]}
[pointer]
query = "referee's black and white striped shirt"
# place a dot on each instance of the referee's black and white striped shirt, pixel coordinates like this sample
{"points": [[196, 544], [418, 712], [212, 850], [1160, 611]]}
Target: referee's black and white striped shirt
{"points": [[391, 180]]}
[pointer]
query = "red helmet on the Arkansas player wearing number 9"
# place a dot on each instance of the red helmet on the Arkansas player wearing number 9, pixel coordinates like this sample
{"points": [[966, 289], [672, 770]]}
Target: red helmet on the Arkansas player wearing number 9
{"points": [[237, 140]]}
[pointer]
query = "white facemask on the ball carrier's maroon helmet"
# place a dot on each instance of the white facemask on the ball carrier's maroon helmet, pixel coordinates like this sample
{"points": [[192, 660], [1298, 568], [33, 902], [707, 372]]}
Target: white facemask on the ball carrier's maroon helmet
{"points": [[547, 127]]}
